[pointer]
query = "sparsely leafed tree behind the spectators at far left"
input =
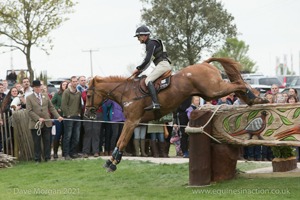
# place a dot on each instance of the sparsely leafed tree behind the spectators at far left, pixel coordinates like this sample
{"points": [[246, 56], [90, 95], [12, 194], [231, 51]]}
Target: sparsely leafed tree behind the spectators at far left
{"points": [[27, 23]]}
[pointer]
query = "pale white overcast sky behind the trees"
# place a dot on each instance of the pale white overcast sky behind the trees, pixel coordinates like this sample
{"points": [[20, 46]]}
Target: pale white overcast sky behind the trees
{"points": [[271, 28]]}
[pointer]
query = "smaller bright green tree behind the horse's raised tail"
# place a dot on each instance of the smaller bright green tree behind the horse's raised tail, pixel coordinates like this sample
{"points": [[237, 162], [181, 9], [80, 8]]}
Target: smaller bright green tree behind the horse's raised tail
{"points": [[237, 50]]}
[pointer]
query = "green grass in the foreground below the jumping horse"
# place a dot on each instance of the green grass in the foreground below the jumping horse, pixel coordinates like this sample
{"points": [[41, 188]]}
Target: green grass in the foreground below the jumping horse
{"points": [[86, 179]]}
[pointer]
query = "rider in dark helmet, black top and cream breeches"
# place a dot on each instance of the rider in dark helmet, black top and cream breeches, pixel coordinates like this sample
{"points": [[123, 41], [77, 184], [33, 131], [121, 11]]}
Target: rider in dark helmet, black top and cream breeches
{"points": [[156, 49]]}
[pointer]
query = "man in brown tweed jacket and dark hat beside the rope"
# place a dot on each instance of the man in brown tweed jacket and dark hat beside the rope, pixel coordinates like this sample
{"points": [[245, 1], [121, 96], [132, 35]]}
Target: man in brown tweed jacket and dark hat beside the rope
{"points": [[39, 105]]}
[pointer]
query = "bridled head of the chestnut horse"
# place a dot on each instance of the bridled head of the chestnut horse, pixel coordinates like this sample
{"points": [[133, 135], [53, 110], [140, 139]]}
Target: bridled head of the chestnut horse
{"points": [[94, 99]]}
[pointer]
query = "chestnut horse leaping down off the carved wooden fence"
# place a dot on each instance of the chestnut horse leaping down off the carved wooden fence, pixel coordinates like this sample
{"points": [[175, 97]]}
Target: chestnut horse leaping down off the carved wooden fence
{"points": [[200, 79]]}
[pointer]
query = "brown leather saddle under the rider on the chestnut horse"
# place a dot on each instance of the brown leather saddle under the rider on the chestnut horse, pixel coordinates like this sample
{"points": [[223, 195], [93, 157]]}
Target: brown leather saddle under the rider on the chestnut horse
{"points": [[161, 83]]}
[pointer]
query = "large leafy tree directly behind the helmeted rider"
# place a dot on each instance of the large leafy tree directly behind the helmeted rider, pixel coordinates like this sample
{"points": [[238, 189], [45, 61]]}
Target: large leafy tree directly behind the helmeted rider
{"points": [[188, 27]]}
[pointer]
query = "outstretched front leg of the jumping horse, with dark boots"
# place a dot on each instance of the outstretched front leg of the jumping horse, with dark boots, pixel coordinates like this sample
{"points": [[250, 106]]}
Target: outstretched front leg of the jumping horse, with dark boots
{"points": [[127, 131]]}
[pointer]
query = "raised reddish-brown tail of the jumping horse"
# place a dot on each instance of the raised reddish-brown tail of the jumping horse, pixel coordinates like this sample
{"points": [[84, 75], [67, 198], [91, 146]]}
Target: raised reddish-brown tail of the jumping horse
{"points": [[230, 66]]}
